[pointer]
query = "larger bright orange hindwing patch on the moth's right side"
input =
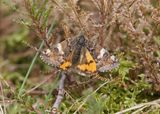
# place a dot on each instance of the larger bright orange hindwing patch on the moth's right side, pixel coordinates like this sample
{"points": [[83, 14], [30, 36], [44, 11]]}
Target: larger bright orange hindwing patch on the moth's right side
{"points": [[90, 66]]}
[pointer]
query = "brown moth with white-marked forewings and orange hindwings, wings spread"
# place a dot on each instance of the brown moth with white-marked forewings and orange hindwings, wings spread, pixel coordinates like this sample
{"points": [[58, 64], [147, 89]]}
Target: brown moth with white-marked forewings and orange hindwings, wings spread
{"points": [[80, 55]]}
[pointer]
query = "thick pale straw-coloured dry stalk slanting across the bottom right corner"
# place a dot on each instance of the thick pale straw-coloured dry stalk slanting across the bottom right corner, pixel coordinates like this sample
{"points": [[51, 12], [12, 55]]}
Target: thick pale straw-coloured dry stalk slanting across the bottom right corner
{"points": [[138, 106]]}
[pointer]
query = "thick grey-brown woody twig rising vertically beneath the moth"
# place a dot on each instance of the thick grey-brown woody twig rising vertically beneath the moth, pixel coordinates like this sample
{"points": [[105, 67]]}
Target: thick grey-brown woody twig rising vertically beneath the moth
{"points": [[60, 94]]}
